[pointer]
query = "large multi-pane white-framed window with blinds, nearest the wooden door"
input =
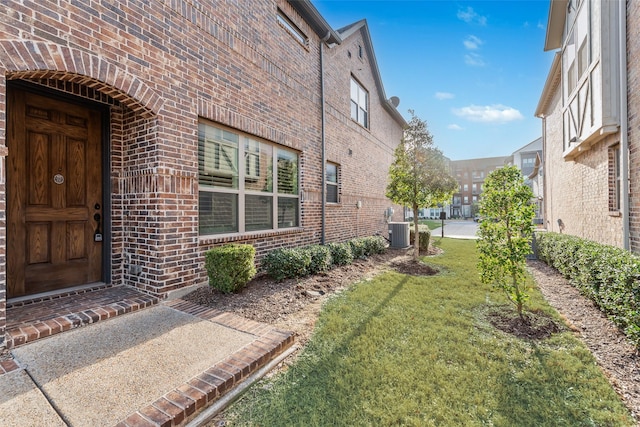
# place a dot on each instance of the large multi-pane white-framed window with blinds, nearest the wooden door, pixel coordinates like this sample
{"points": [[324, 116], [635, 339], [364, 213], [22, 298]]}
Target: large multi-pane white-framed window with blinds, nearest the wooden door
{"points": [[262, 194]]}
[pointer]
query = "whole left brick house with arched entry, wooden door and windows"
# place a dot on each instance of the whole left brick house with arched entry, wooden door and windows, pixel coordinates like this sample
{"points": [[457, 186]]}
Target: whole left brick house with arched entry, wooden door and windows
{"points": [[140, 135]]}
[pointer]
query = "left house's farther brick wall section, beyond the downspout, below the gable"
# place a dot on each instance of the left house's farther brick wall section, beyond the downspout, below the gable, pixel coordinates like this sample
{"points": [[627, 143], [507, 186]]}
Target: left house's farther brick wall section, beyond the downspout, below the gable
{"points": [[363, 154]]}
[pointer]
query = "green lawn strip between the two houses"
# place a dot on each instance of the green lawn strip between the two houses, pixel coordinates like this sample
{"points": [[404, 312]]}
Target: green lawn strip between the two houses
{"points": [[418, 351]]}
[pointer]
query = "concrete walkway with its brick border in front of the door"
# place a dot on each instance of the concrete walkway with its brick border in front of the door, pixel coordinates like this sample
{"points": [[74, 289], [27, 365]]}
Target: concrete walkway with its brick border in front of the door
{"points": [[156, 366]]}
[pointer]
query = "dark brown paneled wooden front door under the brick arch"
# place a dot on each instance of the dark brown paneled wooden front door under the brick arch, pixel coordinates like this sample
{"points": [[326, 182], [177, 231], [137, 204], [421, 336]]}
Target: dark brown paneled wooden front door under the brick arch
{"points": [[54, 194]]}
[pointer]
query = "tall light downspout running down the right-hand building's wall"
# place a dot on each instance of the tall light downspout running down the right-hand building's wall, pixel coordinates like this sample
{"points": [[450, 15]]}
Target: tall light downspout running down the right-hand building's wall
{"points": [[624, 126]]}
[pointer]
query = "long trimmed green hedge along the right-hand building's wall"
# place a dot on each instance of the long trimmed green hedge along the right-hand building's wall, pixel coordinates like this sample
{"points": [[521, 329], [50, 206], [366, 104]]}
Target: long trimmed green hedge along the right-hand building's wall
{"points": [[610, 276]]}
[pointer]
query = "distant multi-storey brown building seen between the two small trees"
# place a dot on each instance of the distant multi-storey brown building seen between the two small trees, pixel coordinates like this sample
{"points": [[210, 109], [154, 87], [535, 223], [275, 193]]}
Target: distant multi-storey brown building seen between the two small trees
{"points": [[470, 175]]}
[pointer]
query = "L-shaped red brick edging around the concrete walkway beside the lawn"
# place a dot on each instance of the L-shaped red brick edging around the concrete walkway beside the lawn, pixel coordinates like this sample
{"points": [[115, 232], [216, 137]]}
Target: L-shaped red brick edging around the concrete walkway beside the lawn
{"points": [[181, 404]]}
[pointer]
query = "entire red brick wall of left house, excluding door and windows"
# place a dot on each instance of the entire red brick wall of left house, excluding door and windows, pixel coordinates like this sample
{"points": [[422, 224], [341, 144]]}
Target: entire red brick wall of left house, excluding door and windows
{"points": [[161, 65]]}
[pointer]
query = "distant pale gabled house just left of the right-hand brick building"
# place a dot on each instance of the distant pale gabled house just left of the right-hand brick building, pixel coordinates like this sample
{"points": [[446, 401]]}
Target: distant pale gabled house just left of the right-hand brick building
{"points": [[529, 160]]}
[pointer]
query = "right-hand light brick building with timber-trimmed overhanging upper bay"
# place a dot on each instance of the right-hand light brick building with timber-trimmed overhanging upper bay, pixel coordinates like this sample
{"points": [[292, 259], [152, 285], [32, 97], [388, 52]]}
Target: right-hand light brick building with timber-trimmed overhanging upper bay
{"points": [[585, 107]]}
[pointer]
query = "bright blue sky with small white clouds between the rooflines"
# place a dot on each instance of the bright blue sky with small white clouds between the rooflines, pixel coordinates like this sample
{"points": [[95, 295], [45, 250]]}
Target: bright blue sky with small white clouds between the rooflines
{"points": [[474, 70]]}
